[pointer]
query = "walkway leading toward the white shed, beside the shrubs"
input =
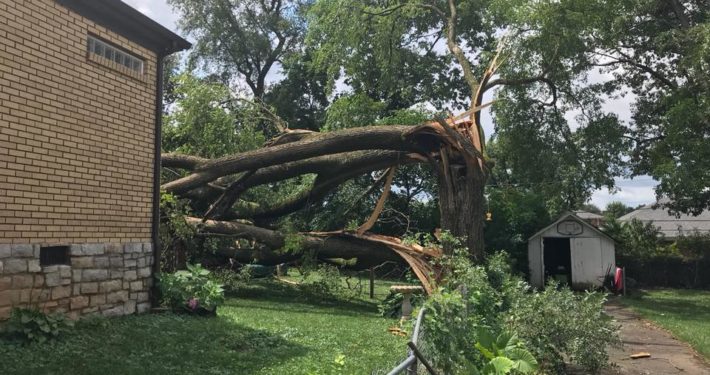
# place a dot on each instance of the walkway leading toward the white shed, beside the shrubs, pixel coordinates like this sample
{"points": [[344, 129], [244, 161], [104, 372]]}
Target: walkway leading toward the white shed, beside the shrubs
{"points": [[668, 355]]}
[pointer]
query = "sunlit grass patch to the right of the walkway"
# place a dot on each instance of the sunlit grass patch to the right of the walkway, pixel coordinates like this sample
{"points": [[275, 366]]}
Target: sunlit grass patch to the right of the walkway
{"points": [[686, 313]]}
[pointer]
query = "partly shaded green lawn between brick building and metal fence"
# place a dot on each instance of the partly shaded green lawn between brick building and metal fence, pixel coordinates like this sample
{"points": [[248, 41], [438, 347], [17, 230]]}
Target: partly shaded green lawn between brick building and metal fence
{"points": [[266, 328]]}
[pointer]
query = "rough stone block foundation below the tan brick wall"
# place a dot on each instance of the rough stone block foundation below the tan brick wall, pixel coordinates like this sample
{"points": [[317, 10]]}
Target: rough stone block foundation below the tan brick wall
{"points": [[109, 279]]}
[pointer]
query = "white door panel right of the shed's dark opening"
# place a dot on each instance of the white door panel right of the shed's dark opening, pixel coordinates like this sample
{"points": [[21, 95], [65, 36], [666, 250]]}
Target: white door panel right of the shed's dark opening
{"points": [[586, 261]]}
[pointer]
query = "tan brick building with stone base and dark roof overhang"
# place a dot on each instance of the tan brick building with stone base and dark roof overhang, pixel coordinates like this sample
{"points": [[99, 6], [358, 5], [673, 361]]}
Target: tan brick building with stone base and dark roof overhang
{"points": [[80, 89]]}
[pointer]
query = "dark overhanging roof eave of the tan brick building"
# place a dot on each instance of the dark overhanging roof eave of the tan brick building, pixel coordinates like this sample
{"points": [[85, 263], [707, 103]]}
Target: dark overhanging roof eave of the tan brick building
{"points": [[122, 19]]}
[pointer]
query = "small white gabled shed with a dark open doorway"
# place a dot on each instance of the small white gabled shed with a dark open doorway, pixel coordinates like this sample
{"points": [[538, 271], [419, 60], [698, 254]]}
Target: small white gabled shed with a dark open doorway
{"points": [[571, 251]]}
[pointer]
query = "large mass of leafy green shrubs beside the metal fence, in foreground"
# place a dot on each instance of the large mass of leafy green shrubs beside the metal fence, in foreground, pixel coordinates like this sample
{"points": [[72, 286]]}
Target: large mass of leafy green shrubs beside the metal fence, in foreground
{"points": [[553, 325]]}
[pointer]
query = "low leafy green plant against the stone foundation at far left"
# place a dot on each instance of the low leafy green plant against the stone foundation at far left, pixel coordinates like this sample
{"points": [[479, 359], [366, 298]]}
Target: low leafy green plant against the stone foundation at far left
{"points": [[32, 325]]}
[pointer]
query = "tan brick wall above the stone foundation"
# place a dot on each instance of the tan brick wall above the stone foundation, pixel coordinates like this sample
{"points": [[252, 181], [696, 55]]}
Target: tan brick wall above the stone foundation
{"points": [[76, 136]]}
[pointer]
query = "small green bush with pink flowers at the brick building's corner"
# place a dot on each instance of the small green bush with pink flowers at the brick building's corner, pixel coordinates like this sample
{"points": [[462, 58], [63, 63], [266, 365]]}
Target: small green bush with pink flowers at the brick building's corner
{"points": [[192, 290]]}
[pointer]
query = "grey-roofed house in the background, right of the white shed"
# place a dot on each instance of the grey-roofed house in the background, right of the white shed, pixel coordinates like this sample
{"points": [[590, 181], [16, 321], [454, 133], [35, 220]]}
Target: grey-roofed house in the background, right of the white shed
{"points": [[669, 225]]}
